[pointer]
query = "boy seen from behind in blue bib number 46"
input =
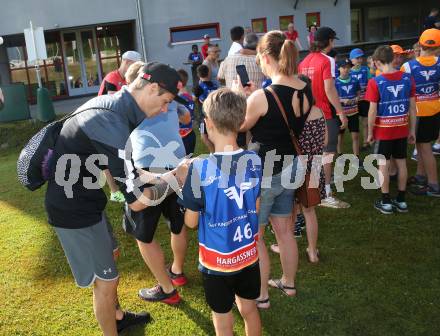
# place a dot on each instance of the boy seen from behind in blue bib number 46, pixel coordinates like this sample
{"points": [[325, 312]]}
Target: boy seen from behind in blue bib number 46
{"points": [[221, 195]]}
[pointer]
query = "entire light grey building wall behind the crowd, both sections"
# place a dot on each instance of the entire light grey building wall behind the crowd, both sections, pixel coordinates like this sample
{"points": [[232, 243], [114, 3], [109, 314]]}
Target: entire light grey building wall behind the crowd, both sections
{"points": [[160, 15]]}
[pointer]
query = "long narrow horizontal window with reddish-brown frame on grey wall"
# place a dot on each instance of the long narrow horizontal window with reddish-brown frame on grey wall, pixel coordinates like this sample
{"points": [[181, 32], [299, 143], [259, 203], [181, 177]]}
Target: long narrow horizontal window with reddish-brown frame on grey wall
{"points": [[194, 33]]}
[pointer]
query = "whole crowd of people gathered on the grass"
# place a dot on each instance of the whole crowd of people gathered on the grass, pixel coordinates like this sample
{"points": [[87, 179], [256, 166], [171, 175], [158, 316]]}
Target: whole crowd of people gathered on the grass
{"points": [[143, 123]]}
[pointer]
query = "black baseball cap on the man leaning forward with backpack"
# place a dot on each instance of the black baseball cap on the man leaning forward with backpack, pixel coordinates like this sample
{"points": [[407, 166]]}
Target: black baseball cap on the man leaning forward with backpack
{"points": [[165, 76]]}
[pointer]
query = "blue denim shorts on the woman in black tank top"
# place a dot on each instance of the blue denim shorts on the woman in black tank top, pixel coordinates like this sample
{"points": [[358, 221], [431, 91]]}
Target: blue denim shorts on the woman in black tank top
{"points": [[275, 201]]}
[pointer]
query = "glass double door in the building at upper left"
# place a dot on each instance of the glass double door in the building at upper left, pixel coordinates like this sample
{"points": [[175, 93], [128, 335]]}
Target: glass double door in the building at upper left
{"points": [[81, 62]]}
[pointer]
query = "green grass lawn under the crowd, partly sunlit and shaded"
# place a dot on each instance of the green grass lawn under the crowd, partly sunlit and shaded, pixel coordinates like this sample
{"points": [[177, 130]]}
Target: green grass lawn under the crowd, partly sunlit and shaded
{"points": [[379, 275]]}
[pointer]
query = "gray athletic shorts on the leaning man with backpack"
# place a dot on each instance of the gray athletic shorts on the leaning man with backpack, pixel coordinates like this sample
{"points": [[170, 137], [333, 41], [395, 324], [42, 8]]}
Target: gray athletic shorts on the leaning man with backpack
{"points": [[89, 252]]}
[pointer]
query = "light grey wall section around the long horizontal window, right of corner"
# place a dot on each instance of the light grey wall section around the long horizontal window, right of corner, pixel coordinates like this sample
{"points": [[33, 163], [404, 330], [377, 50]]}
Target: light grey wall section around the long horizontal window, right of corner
{"points": [[229, 13]]}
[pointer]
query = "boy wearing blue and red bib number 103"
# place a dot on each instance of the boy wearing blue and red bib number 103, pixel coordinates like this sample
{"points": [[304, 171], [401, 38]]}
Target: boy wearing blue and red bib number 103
{"points": [[391, 125]]}
